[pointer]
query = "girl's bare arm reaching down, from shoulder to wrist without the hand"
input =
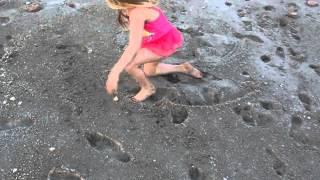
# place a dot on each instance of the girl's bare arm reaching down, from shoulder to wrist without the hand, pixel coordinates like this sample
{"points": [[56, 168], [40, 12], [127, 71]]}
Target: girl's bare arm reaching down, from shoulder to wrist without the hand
{"points": [[136, 29]]}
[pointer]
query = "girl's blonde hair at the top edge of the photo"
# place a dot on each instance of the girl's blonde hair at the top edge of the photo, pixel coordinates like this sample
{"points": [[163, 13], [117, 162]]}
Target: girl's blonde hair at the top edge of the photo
{"points": [[125, 4]]}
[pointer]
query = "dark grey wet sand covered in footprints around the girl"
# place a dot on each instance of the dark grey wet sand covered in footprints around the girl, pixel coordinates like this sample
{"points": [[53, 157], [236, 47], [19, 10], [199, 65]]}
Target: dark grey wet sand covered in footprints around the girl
{"points": [[255, 115]]}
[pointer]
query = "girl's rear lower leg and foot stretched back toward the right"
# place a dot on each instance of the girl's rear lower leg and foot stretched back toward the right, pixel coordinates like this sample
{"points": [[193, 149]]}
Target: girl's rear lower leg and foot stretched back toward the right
{"points": [[156, 68]]}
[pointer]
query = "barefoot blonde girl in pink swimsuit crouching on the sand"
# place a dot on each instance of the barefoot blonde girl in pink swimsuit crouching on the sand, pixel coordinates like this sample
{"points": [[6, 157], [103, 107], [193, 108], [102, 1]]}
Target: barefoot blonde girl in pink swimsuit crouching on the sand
{"points": [[152, 37]]}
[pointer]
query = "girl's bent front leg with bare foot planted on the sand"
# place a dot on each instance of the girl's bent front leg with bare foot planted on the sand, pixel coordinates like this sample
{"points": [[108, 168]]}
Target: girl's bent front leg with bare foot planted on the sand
{"points": [[147, 88]]}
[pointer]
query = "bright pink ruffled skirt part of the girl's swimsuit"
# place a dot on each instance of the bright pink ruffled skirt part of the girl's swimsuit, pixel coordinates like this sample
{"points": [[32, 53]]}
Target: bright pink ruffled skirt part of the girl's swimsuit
{"points": [[164, 45]]}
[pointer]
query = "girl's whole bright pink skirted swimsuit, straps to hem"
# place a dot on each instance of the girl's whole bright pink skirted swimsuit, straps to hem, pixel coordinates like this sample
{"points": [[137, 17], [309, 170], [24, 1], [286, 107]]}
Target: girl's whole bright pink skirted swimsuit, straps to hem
{"points": [[161, 37]]}
